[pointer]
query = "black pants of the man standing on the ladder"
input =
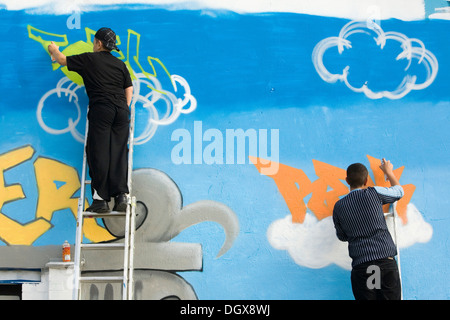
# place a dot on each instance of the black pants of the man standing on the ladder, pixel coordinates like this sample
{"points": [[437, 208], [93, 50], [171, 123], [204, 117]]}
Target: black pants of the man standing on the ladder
{"points": [[107, 149]]}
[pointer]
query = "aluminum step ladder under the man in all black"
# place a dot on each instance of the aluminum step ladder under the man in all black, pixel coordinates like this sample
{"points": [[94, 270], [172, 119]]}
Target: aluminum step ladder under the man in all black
{"points": [[127, 246]]}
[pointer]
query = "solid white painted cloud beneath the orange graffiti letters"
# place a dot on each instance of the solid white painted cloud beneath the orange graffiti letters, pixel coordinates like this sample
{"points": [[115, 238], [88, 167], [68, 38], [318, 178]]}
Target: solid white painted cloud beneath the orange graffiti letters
{"points": [[313, 243]]}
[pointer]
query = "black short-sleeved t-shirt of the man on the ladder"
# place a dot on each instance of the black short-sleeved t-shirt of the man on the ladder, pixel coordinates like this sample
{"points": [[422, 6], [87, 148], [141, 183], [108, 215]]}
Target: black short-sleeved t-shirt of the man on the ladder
{"points": [[105, 77]]}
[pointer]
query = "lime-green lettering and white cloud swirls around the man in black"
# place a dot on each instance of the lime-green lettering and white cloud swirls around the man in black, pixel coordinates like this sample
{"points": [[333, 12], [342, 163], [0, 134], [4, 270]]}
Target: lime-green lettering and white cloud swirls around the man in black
{"points": [[147, 93]]}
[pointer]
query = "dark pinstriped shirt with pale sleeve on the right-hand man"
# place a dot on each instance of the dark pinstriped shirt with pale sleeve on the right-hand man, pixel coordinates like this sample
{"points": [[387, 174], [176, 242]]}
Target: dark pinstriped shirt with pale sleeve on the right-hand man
{"points": [[359, 219]]}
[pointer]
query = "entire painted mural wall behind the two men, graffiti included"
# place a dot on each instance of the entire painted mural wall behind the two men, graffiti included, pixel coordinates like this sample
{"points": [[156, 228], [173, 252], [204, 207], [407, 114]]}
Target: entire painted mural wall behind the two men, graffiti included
{"points": [[246, 118]]}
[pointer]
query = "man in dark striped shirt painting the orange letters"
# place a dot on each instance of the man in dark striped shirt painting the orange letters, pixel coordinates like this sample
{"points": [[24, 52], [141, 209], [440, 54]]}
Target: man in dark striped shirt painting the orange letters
{"points": [[359, 220]]}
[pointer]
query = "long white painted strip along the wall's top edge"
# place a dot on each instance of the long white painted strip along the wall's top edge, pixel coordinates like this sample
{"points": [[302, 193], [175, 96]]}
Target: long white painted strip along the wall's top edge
{"points": [[349, 9]]}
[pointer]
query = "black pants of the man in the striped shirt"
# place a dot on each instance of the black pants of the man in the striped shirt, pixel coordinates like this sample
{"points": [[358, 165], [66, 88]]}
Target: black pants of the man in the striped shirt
{"points": [[376, 280]]}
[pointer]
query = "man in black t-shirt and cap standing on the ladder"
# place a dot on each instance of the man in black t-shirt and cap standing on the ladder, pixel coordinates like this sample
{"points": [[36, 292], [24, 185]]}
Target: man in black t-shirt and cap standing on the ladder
{"points": [[110, 90]]}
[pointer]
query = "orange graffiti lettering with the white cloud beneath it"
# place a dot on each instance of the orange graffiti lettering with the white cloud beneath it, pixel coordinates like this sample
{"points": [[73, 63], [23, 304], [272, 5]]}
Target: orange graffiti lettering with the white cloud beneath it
{"points": [[309, 235]]}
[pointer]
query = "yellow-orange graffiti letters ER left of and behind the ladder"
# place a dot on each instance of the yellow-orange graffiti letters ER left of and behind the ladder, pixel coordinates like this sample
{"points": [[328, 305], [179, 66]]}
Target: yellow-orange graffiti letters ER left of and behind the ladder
{"points": [[56, 183]]}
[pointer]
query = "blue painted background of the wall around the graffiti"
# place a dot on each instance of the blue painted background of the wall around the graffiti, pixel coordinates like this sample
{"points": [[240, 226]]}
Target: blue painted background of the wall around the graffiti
{"points": [[254, 71]]}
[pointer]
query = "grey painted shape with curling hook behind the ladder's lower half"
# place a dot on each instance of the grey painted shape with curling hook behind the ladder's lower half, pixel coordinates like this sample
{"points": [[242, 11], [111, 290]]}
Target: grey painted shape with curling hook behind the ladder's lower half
{"points": [[161, 216]]}
